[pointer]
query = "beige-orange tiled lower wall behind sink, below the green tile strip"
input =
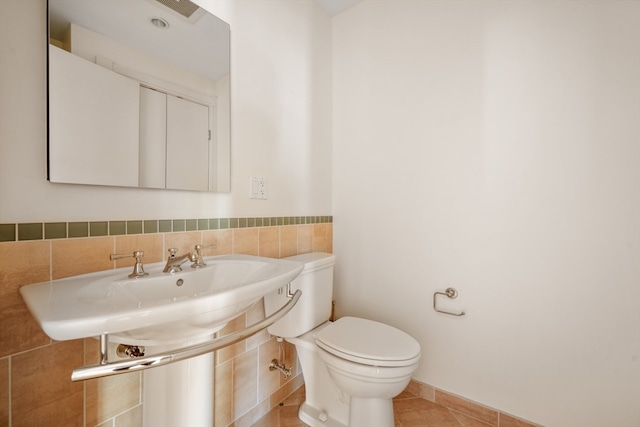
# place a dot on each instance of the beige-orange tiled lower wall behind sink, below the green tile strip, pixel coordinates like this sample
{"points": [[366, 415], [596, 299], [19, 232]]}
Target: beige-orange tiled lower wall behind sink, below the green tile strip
{"points": [[35, 385]]}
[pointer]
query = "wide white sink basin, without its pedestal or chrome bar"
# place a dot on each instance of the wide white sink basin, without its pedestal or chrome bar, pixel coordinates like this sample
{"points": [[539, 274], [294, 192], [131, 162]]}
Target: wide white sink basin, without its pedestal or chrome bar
{"points": [[160, 308]]}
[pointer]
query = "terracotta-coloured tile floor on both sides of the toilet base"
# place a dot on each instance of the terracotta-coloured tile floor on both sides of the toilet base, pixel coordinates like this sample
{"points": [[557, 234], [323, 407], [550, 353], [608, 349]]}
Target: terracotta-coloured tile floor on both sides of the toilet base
{"points": [[410, 411]]}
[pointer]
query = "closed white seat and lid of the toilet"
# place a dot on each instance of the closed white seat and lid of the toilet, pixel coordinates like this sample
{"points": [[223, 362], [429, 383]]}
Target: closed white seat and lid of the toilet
{"points": [[368, 342]]}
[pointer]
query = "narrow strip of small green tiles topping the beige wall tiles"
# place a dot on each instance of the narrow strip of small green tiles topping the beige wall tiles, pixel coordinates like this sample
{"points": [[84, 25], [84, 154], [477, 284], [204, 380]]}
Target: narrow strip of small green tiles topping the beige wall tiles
{"points": [[61, 230]]}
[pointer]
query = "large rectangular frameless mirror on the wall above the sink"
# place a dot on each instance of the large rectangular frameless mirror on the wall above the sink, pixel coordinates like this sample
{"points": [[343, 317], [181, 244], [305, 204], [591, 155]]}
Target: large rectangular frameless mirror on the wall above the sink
{"points": [[139, 95]]}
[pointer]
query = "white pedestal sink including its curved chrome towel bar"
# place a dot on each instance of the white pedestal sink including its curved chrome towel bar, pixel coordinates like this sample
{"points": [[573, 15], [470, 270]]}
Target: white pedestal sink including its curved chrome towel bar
{"points": [[161, 311]]}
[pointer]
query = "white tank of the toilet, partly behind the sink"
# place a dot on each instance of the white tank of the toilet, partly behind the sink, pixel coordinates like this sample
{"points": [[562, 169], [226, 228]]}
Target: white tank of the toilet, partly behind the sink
{"points": [[314, 306]]}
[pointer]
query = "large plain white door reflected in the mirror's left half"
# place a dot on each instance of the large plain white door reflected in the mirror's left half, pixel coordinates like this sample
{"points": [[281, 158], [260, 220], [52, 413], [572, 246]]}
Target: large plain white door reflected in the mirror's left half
{"points": [[93, 123]]}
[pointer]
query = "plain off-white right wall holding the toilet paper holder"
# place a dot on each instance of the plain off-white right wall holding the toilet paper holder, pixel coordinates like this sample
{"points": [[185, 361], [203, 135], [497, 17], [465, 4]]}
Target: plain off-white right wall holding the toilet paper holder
{"points": [[494, 146]]}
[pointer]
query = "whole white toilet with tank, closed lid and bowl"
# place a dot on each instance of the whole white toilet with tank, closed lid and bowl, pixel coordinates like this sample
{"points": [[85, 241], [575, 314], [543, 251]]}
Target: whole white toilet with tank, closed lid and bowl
{"points": [[352, 367]]}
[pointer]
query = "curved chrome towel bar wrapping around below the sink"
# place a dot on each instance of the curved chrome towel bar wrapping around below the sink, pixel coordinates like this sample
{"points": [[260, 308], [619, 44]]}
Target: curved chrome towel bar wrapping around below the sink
{"points": [[106, 368]]}
